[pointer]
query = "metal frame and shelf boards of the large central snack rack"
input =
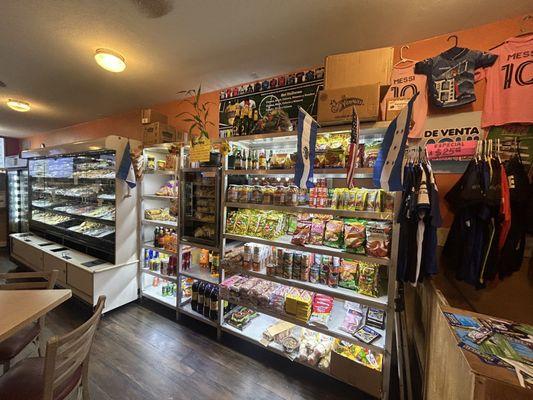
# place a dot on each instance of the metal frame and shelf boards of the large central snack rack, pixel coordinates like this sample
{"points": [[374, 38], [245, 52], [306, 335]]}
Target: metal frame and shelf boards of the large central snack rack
{"points": [[285, 141]]}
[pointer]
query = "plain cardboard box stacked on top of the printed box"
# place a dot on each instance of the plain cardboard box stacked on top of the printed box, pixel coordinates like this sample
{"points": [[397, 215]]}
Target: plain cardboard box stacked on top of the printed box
{"points": [[359, 68]]}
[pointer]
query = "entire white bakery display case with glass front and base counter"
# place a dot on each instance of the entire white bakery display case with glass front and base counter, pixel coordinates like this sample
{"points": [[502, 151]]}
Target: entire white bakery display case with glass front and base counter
{"points": [[83, 220]]}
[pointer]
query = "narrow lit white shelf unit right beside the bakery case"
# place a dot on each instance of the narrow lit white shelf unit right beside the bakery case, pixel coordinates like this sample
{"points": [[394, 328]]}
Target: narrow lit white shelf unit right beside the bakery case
{"points": [[154, 284]]}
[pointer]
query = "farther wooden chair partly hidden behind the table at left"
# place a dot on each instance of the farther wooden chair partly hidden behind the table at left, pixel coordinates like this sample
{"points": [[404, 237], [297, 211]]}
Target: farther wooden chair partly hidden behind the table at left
{"points": [[14, 344]]}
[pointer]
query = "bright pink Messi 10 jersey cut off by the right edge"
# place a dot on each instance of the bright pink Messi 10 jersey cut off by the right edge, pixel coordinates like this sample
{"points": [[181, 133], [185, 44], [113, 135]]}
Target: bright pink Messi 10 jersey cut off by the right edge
{"points": [[509, 92]]}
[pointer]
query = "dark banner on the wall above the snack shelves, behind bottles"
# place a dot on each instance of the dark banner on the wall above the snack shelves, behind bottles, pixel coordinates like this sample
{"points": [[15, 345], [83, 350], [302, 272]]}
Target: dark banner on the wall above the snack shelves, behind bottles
{"points": [[285, 92]]}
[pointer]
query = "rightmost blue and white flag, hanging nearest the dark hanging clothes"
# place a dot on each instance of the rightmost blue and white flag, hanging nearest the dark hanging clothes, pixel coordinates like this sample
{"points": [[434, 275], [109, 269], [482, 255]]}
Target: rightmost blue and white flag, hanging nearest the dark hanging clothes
{"points": [[389, 164]]}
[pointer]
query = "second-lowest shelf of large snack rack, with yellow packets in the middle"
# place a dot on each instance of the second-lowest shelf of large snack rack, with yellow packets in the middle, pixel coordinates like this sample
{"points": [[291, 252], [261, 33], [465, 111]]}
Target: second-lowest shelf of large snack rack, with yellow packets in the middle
{"points": [[317, 312]]}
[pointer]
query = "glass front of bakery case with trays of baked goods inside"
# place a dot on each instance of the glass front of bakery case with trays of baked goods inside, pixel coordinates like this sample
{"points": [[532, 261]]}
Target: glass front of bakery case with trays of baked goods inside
{"points": [[72, 201]]}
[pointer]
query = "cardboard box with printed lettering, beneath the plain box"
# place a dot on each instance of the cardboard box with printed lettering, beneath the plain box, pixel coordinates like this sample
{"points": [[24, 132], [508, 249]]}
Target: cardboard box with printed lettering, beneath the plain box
{"points": [[335, 106]]}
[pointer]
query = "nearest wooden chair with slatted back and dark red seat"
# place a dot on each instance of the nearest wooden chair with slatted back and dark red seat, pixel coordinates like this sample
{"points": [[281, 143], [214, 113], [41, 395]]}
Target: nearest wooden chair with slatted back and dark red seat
{"points": [[64, 369]]}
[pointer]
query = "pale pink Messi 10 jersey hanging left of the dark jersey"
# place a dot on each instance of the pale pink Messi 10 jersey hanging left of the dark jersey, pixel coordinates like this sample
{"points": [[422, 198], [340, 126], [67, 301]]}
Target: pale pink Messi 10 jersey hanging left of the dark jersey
{"points": [[405, 83]]}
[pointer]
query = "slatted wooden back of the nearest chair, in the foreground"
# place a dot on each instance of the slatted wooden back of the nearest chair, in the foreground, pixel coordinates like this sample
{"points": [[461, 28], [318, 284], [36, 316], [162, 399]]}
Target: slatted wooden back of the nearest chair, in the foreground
{"points": [[69, 354]]}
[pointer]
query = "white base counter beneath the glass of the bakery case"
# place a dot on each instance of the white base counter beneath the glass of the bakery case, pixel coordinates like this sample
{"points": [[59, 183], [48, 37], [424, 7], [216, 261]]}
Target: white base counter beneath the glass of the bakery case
{"points": [[87, 276]]}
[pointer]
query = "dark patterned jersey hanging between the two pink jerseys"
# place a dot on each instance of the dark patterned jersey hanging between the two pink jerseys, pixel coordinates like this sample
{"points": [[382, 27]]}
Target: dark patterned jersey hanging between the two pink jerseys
{"points": [[451, 75]]}
